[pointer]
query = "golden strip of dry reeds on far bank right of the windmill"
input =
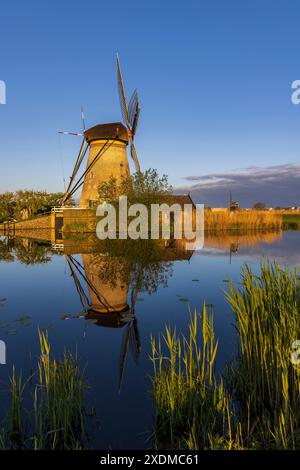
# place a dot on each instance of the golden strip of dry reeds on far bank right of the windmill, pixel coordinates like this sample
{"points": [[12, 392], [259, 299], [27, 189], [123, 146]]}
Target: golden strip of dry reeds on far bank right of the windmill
{"points": [[242, 219]]}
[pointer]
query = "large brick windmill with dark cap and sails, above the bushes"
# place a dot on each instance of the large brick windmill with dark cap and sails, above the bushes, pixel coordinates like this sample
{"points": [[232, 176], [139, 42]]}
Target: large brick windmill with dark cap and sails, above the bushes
{"points": [[107, 156]]}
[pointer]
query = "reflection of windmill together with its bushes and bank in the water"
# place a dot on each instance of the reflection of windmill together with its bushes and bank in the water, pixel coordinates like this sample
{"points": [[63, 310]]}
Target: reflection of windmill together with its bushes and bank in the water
{"points": [[108, 284]]}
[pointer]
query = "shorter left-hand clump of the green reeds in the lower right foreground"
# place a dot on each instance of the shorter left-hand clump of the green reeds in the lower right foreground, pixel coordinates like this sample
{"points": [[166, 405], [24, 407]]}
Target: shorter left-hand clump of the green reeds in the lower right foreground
{"points": [[193, 409]]}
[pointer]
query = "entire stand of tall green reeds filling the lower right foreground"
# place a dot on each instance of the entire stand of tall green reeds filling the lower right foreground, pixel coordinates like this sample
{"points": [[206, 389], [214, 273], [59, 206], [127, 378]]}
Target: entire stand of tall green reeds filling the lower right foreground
{"points": [[255, 405]]}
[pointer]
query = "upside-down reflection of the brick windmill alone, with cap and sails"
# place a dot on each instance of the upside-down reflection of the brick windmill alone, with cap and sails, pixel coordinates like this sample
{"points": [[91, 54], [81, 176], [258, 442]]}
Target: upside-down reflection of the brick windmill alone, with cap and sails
{"points": [[106, 304]]}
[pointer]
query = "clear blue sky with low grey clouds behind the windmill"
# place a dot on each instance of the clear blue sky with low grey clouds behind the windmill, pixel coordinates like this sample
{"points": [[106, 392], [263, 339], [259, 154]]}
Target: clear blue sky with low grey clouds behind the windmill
{"points": [[214, 80]]}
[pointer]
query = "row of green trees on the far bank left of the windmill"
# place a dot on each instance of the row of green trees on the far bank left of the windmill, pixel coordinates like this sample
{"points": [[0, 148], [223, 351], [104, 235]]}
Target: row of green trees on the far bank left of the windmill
{"points": [[25, 204]]}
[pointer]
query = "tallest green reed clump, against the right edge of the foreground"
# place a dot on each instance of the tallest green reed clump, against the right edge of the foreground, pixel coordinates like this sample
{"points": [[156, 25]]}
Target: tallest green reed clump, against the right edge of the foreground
{"points": [[264, 379]]}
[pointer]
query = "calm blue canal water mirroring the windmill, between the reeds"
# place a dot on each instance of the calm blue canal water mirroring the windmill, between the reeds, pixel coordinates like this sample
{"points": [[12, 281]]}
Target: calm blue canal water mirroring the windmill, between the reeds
{"points": [[76, 292]]}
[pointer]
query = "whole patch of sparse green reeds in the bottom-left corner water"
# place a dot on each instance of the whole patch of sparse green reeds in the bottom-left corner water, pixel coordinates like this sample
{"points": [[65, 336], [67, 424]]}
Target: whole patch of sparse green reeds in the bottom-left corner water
{"points": [[55, 419]]}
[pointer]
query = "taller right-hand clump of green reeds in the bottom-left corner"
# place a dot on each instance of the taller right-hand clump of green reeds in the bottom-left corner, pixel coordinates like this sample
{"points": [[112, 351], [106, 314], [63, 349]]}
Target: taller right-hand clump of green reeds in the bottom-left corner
{"points": [[58, 401]]}
